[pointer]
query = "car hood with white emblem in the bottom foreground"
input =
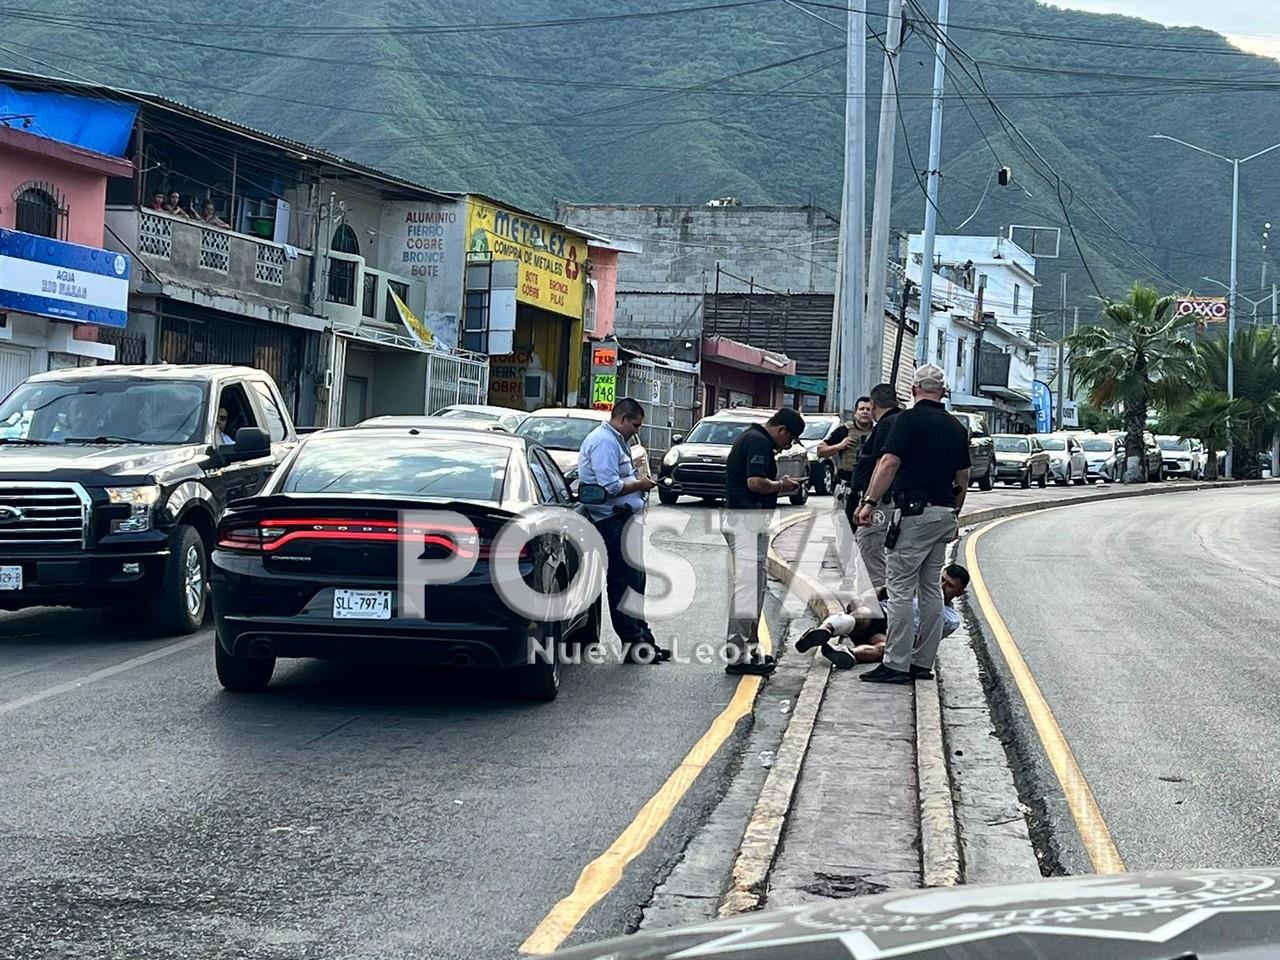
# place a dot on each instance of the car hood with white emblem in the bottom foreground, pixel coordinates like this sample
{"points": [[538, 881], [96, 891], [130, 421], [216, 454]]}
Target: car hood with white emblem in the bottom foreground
{"points": [[1200, 915]]}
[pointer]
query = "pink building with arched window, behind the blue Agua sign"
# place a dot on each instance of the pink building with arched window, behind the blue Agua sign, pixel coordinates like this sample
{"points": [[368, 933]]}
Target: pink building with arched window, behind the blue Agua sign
{"points": [[49, 189]]}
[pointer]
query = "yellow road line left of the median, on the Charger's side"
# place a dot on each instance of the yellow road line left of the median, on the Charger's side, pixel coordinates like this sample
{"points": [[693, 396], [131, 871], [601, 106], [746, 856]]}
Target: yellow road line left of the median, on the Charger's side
{"points": [[604, 874]]}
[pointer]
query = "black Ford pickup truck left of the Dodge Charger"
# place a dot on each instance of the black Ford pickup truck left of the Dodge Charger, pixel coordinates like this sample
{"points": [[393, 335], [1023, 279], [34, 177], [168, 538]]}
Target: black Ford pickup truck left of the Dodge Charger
{"points": [[113, 481]]}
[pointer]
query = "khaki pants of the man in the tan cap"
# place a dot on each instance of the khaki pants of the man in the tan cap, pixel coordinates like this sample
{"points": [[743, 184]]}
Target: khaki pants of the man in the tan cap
{"points": [[915, 570]]}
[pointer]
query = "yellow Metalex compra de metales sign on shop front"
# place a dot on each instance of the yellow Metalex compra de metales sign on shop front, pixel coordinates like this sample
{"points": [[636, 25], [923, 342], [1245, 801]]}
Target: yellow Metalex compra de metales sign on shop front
{"points": [[552, 263]]}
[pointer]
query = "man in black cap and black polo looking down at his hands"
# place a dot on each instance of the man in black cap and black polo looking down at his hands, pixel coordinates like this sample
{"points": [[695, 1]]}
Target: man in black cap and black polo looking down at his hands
{"points": [[752, 492]]}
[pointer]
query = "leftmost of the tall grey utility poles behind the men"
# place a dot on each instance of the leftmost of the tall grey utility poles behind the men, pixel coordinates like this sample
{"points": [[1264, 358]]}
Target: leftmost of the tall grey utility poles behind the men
{"points": [[851, 305]]}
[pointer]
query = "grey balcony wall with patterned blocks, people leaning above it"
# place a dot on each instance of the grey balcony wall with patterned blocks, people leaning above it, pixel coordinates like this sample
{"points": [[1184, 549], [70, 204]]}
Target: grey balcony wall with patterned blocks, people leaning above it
{"points": [[180, 252]]}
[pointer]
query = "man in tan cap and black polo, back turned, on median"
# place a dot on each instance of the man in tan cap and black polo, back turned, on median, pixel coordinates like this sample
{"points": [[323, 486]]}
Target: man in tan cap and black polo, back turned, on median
{"points": [[926, 461]]}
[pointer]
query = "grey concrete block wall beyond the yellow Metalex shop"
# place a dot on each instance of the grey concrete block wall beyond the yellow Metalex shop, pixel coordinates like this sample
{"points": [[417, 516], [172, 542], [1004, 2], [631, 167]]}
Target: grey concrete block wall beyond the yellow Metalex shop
{"points": [[787, 249]]}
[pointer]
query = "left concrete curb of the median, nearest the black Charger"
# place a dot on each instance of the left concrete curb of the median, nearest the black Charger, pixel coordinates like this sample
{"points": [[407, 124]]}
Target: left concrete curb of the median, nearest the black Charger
{"points": [[764, 834]]}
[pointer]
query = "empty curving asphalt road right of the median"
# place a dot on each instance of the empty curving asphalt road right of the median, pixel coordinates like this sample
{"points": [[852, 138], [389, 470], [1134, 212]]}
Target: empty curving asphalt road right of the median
{"points": [[1150, 628]]}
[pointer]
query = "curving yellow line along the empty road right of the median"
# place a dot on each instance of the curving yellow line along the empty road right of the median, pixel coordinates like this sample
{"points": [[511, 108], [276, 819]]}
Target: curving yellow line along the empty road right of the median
{"points": [[1080, 797]]}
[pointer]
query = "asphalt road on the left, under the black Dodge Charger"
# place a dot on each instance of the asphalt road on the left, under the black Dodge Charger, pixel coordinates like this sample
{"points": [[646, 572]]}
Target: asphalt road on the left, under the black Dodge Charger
{"points": [[348, 812]]}
